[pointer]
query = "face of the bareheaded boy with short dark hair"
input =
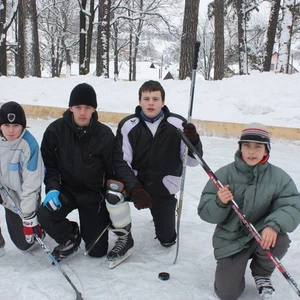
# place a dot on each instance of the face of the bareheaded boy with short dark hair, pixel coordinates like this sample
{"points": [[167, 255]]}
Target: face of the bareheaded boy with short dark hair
{"points": [[151, 103]]}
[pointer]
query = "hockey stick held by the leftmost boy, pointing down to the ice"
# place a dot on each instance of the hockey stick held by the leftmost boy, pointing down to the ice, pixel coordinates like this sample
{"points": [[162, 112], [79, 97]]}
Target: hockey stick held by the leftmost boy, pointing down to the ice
{"points": [[39, 240]]}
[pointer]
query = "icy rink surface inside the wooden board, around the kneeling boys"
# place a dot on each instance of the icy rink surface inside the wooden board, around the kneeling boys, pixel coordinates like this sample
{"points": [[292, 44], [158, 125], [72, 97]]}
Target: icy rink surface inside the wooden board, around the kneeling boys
{"points": [[31, 276]]}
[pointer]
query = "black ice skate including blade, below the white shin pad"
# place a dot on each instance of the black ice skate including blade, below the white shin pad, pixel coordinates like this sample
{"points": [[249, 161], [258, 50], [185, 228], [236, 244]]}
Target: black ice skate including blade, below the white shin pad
{"points": [[123, 247]]}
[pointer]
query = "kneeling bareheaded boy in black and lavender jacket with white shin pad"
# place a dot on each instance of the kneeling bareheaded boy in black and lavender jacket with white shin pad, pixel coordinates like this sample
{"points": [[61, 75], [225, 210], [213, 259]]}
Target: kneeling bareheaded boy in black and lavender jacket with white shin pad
{"points": [[148, 161]]}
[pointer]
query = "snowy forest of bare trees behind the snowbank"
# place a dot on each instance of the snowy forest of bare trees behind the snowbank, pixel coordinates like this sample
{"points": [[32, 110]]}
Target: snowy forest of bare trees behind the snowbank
{"points": [[49, 34]]}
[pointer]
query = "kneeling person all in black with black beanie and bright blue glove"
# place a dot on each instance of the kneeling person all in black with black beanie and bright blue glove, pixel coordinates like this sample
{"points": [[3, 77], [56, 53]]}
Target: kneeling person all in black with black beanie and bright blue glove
{"points": [[77, 152]]}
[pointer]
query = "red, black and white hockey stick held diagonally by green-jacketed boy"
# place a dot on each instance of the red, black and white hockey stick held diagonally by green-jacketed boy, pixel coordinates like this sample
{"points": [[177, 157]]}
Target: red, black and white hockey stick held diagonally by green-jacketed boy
{"points": [[237, 210]]}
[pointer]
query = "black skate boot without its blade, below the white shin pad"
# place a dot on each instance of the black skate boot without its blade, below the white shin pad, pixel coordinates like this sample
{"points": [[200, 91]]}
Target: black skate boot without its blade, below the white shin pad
{"points": [[123, 244]]}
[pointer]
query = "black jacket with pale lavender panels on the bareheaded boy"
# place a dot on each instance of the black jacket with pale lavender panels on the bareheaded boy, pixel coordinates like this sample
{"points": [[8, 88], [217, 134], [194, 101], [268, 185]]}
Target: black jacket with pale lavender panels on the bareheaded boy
{"points": [[154, 162]]}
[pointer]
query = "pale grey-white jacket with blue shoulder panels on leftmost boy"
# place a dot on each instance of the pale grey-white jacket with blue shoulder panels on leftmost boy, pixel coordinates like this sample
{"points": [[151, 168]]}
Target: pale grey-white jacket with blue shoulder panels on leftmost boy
{"points": [[21, 172]]}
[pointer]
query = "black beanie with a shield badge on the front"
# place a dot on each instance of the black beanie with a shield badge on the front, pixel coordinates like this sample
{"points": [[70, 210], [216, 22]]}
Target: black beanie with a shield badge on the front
{"points": [[12, 113]]}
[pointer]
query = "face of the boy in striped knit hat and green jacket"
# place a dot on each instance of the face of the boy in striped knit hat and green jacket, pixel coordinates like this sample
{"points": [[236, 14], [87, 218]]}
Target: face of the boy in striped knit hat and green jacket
{"points": [[253, 153]]}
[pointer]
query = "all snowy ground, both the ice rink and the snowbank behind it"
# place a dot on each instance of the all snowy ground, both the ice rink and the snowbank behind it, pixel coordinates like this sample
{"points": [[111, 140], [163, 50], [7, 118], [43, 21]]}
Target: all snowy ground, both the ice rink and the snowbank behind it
{"points": [[267, 98]]}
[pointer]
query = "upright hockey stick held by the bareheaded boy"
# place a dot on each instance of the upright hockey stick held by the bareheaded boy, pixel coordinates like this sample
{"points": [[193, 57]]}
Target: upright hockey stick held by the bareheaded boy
{"points": [[180, 201]]}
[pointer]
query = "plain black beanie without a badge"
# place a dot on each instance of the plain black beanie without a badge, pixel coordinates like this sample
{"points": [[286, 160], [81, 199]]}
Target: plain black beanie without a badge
{"points": [[83, 94]]}
